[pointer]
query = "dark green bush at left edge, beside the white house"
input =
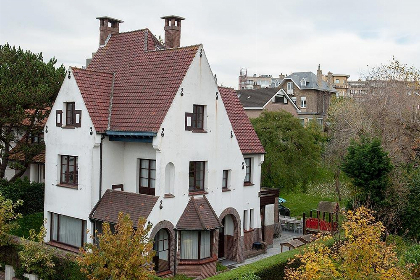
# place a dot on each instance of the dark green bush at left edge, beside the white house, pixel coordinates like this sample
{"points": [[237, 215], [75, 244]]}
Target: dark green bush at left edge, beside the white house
{"points": [[32, 194]]}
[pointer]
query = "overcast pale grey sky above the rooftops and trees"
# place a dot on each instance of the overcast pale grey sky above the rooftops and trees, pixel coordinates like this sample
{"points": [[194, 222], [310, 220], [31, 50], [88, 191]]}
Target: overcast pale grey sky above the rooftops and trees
{"points": [[266, 37]]}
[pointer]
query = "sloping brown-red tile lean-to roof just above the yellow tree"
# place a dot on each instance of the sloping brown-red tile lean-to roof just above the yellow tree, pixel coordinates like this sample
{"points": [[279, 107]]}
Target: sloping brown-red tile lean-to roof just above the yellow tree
{"points": [[114, 202]]}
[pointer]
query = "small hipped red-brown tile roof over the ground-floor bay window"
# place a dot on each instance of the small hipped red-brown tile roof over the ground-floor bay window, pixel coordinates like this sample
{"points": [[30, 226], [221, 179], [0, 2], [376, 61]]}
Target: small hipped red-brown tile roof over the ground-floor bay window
{"points": [[198, 215]]}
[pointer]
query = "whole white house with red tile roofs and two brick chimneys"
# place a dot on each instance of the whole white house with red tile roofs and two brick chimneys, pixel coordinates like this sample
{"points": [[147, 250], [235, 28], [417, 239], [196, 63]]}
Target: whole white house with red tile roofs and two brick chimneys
{"points": [[145, 130]]}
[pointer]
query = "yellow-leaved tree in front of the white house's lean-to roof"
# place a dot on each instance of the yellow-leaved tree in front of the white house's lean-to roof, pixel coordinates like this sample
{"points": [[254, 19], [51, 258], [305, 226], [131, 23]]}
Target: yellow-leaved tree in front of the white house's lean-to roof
{"points": [[125, 254]]}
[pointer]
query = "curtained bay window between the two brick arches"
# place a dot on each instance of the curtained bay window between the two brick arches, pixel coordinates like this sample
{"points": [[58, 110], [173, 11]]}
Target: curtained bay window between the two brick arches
{"points": [[195, 245]]}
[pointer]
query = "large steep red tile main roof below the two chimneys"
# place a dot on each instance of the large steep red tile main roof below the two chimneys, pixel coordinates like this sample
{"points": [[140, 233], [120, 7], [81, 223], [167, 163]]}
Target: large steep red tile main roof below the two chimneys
{"points": [[146, 81]]}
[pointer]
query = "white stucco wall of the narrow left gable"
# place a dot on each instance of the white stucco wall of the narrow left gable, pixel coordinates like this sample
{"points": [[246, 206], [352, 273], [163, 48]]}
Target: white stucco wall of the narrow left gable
{"points": [[76, 203]]}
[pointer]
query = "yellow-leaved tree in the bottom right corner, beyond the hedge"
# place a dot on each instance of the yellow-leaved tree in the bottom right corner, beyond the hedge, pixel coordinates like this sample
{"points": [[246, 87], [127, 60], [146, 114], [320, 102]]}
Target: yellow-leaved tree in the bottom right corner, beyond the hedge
{"points": [[361, 255]]}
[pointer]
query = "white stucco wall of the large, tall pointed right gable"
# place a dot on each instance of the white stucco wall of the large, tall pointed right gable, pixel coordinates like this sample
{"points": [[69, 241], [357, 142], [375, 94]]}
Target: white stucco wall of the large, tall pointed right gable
{"points": [[216, 148]]}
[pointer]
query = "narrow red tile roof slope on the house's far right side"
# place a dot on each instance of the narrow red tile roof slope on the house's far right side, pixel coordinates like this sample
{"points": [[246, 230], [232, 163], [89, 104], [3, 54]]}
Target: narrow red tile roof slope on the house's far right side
{"points": [[244, 131]]}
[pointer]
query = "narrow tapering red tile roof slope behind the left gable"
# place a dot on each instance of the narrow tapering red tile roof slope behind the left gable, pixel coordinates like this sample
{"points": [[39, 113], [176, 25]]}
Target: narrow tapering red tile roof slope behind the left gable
{"points": [[95, 88]]}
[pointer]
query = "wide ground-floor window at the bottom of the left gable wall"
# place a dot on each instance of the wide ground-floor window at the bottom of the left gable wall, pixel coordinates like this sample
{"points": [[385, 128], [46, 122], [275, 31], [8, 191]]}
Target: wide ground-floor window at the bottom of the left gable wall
{"points": [[68, 230]]}
